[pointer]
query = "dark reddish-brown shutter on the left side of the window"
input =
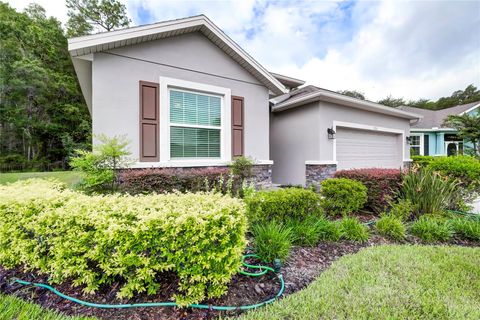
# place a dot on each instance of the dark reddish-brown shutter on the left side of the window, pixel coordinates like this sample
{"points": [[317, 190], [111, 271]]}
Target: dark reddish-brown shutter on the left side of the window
{"points": [[149, 121]]}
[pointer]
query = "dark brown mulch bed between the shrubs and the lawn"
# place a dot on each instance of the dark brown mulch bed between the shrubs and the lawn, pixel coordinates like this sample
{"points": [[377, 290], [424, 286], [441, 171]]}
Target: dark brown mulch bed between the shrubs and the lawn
{"points": [[302, 267]]}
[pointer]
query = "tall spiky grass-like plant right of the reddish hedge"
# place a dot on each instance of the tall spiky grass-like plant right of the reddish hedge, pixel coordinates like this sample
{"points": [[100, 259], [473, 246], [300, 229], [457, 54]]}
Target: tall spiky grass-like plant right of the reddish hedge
{"points": [[428, 191]]}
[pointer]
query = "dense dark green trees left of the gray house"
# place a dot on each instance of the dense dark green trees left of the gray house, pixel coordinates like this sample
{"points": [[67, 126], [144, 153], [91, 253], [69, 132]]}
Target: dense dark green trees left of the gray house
{"points": [[43, 116]]}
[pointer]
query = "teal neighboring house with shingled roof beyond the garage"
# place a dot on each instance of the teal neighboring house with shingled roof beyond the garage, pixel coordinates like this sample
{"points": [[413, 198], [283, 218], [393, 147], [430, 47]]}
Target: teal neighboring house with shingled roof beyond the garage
{"points": [[429, 137]]}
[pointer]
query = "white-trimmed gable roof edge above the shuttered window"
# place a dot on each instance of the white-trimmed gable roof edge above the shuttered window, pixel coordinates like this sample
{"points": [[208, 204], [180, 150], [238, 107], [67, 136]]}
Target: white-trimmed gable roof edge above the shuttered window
{"points": [[81, 48]]}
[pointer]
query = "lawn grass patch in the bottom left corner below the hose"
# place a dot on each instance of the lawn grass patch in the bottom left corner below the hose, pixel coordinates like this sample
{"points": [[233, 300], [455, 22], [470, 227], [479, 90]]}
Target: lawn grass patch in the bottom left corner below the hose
{"points": [[14, 308]]}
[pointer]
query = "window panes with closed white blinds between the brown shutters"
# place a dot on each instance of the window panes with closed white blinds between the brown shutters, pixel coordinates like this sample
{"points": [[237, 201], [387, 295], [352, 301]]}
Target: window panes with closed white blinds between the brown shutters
{"points": [[195, 125]]}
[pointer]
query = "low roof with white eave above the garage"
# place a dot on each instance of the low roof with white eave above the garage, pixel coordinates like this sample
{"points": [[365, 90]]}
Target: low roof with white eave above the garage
{"points": [[311, 93]]}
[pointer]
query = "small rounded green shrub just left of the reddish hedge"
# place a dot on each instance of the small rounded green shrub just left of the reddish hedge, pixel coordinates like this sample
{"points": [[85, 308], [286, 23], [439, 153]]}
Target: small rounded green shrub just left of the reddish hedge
{"points": [[342, 196]]}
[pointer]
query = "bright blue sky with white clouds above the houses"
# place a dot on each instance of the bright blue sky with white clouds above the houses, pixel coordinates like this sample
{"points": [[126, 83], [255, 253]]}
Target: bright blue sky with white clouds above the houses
{"points": [[409, 49]]}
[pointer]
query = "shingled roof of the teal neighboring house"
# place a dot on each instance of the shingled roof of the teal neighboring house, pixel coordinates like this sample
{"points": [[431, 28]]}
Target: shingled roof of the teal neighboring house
{"points": [[434, 118]]}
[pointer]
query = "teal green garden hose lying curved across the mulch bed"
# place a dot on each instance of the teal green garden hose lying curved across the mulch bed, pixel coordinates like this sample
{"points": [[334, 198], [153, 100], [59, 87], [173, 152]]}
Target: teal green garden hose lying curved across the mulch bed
{"points": [[264, 270]]}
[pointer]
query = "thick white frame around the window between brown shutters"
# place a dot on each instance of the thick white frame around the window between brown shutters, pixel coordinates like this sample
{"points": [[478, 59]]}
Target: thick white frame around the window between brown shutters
{"points": [[225, 128]]}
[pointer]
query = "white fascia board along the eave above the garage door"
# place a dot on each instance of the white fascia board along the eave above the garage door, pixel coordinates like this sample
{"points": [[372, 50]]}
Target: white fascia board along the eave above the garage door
{"points": [[346, 101]]}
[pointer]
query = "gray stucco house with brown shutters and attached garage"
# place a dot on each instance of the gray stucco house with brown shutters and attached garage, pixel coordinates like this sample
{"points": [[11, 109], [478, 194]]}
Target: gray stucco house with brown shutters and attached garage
{"points": [[187, 96]]}
